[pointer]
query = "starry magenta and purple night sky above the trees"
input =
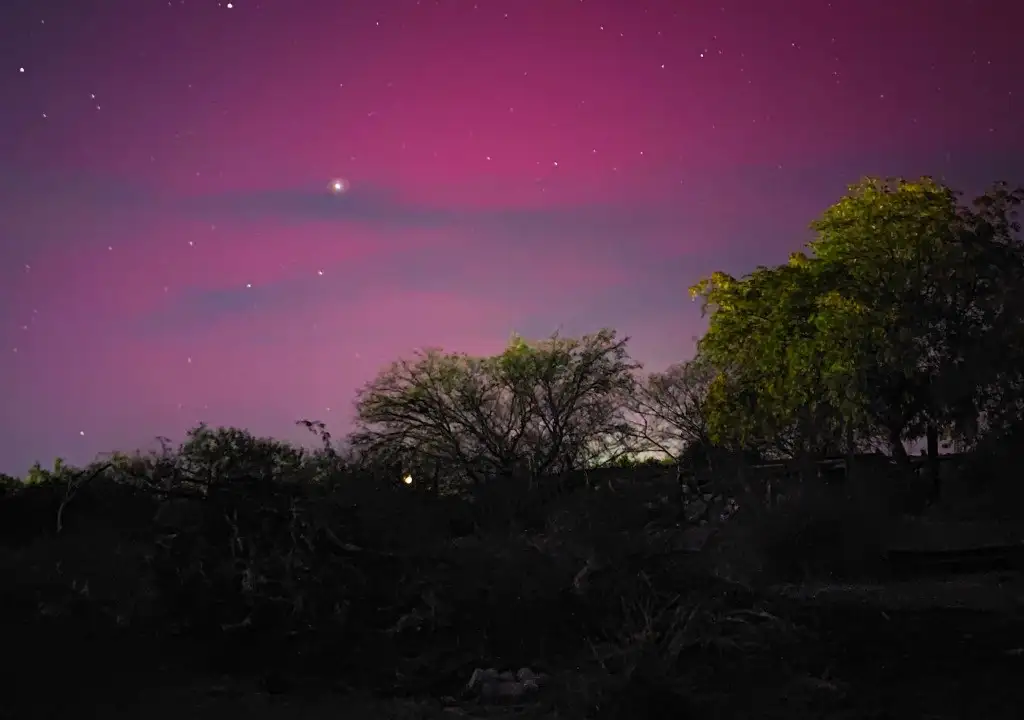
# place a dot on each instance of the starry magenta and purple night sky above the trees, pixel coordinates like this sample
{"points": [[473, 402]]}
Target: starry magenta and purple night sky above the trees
{"points": [[172, 248]]}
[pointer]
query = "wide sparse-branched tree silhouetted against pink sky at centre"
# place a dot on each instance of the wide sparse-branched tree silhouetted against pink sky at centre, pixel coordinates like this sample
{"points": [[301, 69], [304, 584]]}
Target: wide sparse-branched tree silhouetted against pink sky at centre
{"points": [[538, 408]]}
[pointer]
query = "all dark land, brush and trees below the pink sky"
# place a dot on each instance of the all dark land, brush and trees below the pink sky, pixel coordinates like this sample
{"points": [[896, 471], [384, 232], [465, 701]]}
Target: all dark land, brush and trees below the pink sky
{"points": [[491, 542]]}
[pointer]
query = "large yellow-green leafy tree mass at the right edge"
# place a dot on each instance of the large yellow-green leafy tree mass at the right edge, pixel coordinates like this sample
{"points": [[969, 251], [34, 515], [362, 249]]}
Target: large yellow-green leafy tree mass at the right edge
{"points": [[890, 323]]}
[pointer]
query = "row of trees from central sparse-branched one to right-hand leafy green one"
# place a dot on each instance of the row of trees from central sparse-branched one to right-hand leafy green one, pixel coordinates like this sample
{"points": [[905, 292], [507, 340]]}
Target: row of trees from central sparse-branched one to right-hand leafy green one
{"points": [[902, 322]]}
